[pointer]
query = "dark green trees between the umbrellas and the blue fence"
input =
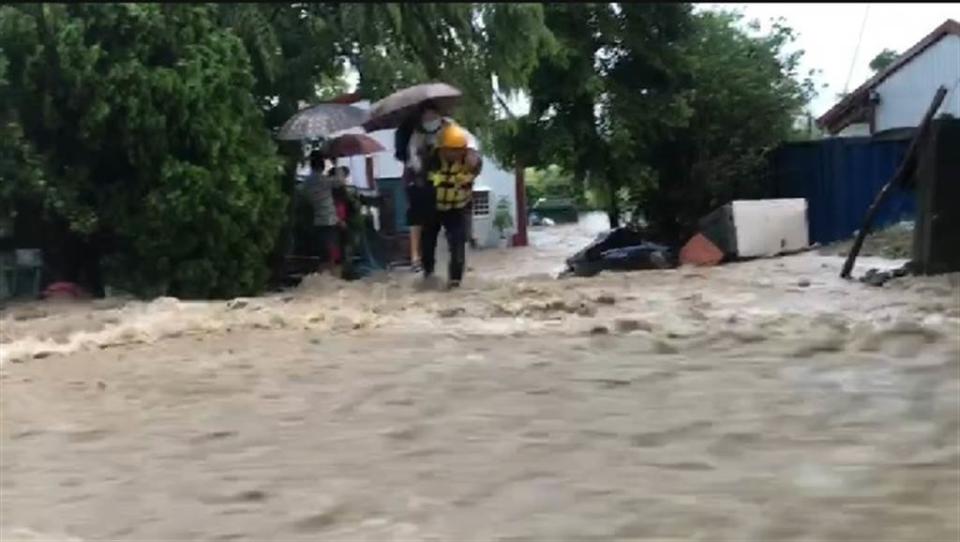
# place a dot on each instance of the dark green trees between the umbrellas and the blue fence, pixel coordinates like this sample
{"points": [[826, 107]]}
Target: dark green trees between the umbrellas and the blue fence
{"points": [[658, 110]]}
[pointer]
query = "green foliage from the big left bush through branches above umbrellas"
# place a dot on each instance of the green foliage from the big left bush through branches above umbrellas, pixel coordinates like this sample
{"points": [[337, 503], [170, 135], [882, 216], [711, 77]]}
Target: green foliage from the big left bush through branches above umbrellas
{"points": [[143, 129]]}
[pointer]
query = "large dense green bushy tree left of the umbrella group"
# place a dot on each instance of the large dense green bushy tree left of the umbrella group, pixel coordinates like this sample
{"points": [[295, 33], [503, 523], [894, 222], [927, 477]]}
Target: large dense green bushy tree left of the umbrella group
{"points": [[151, 139]]}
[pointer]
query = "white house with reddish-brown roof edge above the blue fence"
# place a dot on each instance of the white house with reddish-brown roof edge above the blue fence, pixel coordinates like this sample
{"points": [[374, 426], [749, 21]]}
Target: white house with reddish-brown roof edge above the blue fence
{"points": [[898, 96]]}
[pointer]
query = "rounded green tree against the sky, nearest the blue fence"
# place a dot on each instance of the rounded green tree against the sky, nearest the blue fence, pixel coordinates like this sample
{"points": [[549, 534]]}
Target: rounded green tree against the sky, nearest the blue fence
{"points": [[745, 96]]}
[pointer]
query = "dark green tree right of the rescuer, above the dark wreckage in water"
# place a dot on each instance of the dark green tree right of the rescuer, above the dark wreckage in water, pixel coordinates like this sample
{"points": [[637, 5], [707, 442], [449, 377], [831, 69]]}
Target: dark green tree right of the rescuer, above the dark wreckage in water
{"points": [[606, 93]]}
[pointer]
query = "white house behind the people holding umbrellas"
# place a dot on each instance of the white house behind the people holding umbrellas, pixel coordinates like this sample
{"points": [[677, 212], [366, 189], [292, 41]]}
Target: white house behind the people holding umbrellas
{"points": [[494, 183]]}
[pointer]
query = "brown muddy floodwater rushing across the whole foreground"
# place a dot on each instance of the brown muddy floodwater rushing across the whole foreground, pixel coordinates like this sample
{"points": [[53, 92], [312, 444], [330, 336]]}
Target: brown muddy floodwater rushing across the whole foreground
{"points": [[763, 400]]}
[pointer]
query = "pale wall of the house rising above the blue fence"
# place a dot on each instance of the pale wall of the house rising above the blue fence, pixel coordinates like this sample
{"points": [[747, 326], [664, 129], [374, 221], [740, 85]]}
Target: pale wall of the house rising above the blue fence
{"points": [[906, 94]]}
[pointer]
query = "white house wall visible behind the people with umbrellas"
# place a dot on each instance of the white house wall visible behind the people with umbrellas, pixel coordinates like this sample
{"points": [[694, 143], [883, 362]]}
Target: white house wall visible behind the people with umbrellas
{"points": [[500, 181]]}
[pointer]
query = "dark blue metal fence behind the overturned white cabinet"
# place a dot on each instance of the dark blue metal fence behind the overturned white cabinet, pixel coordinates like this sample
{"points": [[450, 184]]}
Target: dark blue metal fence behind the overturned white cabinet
{"points": [[839, 178]]}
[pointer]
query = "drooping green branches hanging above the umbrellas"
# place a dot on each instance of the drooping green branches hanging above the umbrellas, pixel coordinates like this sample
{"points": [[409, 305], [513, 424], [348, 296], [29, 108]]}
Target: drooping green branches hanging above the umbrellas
{"points": [[301, 51]]}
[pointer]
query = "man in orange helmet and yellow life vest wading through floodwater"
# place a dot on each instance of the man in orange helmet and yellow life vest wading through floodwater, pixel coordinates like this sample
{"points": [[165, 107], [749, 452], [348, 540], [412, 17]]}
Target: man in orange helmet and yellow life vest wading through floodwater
{"points": [[450, 175]]}
